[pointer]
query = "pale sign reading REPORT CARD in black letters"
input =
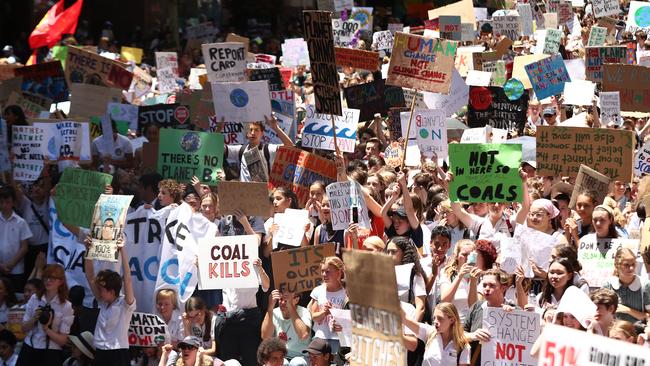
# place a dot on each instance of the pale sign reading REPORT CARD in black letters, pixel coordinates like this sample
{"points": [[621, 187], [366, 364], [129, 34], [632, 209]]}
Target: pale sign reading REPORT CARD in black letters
{"points": [[225, 62]]}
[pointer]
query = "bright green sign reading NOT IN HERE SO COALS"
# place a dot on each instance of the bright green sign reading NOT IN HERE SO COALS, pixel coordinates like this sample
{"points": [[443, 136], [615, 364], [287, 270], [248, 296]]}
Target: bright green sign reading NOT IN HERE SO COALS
{"points": [[485, 172]]}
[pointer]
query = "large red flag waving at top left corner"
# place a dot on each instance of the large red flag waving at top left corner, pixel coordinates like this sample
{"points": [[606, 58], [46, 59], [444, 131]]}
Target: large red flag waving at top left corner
{"points": [[56, 22]]}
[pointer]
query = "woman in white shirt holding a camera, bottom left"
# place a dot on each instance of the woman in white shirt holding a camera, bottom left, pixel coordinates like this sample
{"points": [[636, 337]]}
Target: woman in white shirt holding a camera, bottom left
{"points": [[47, 321]]}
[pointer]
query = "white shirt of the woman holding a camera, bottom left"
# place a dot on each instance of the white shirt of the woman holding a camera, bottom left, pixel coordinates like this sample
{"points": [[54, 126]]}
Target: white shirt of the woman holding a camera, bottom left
{"points": [[63, 318]]}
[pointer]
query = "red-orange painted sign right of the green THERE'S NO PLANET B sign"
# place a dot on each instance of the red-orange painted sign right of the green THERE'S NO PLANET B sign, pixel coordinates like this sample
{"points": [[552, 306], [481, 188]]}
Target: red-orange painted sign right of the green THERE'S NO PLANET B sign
{"points": [[298, 169]]}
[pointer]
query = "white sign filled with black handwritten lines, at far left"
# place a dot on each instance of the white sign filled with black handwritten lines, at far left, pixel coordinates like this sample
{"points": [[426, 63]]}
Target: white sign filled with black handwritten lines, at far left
{"points": [[27, 147]]}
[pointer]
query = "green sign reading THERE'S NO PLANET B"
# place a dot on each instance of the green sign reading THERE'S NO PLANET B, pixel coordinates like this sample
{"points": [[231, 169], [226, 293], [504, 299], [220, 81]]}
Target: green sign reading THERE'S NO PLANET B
{"points": [[184, 154]]}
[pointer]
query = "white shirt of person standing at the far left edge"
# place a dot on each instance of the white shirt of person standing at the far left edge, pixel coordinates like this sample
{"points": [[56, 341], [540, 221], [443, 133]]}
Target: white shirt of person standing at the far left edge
{"points": [[12, 232]]}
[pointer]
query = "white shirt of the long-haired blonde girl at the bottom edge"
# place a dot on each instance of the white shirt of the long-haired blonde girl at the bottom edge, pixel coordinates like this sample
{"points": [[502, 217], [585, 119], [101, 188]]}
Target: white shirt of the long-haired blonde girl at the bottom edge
{"points": [[435, 354]]}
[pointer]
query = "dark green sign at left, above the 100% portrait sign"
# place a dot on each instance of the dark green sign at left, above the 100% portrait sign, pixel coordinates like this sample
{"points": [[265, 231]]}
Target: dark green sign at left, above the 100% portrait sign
{"points": [[77, 193]]}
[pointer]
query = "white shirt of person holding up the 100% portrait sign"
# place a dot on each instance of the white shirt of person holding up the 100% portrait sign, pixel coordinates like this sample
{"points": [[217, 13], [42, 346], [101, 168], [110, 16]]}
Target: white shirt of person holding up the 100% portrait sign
{"points": [[112, 329]]}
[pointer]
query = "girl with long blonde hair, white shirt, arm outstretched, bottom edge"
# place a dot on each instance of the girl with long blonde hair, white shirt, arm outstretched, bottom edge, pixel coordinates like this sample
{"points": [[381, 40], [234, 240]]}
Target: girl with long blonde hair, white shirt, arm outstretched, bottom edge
{"points": [[445, 340]]}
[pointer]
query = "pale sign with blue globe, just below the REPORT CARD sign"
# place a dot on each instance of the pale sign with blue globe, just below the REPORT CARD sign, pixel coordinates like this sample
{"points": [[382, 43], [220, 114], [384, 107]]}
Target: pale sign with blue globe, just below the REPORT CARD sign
{"points": [[241, 102]]}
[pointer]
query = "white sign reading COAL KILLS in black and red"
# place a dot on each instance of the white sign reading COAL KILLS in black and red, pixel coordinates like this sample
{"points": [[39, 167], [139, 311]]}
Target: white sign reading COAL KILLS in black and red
{"points": [[227, 262]]}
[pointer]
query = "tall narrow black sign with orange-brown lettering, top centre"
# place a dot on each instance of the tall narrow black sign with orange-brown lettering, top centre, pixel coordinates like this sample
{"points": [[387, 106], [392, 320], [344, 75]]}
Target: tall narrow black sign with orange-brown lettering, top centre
{"points": [[320, 42]]}
